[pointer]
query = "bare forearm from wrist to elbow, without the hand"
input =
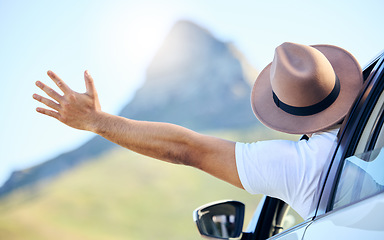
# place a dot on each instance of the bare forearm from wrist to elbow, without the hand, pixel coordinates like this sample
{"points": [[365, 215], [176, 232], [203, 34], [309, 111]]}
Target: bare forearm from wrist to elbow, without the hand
{"points": [[164, 141]]}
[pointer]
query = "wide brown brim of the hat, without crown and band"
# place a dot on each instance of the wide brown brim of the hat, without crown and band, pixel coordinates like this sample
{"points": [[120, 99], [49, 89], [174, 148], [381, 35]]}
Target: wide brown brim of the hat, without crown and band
{"points": [[349, 73]]}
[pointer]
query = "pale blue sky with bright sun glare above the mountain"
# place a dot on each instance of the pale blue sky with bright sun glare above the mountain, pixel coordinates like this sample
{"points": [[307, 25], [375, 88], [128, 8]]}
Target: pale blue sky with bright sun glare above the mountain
{"points": [[116, 39]]}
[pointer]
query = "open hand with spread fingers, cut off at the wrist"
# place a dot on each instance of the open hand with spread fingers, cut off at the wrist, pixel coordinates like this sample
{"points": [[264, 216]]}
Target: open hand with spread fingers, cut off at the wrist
{"points": [[77, 110]]}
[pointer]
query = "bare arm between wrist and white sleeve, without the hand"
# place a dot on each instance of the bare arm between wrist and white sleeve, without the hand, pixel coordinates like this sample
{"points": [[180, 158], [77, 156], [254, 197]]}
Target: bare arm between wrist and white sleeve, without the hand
{"points": [[172, 143]]}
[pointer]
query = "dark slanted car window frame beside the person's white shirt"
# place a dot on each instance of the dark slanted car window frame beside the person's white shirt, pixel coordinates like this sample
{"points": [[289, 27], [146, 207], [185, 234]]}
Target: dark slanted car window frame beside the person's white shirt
{"points": [[351, 130]]}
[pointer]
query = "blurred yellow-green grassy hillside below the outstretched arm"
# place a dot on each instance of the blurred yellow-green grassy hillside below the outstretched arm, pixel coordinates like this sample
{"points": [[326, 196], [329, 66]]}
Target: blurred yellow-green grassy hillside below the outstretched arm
{"points": [[120, 195]]}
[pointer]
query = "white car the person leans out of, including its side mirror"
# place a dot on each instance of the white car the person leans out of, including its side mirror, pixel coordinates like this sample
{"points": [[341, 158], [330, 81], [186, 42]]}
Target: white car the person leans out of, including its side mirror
{"points": [[350, 193]]}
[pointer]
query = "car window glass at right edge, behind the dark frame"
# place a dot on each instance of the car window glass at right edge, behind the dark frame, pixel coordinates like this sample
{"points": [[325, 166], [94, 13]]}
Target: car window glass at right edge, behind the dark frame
{"points": [[362, 173]]}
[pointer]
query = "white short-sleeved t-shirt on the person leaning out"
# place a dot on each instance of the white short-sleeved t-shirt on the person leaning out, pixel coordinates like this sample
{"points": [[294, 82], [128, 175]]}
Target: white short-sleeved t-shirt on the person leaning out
{"points": [[286, 170]]}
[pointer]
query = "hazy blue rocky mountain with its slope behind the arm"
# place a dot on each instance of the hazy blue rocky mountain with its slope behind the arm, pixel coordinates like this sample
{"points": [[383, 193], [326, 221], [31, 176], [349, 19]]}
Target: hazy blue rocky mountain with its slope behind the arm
{"points": [[194, 80]]}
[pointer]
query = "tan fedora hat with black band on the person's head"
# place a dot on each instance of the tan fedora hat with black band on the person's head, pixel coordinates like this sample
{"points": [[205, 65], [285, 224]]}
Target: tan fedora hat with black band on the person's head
{"points": [[306, 89]]}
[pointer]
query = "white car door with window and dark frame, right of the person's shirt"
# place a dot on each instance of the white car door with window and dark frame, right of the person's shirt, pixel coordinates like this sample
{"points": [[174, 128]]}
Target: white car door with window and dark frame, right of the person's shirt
{"points": [[352, 200]]}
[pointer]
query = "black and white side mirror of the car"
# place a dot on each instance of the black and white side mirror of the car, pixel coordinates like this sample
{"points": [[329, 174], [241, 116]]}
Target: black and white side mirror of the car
{"points": [[221, 220]]}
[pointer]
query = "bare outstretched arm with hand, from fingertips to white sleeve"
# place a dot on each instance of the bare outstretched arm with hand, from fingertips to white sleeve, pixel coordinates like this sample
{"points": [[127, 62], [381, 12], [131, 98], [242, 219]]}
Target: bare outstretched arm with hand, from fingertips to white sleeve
{"points": [[164, 141]]}
